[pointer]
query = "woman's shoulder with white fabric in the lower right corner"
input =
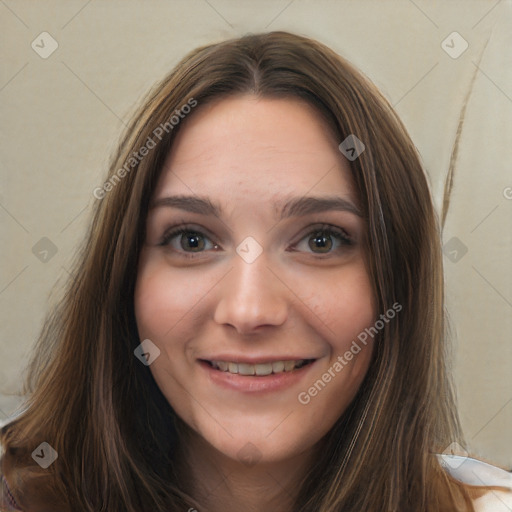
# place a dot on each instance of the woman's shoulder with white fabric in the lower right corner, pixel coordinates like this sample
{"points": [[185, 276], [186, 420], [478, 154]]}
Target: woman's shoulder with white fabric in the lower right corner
{"points": [[497, 497]]}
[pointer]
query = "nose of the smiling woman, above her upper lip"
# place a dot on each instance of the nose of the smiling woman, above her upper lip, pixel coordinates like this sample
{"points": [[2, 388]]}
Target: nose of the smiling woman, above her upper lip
{"points": [[251, 297]]}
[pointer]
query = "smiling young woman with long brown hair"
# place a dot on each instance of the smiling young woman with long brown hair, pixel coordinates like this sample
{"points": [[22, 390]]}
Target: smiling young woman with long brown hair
{"points": [[256, 319]]}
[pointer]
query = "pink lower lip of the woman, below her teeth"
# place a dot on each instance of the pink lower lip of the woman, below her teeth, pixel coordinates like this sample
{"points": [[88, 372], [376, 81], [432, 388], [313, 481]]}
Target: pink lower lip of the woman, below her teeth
{"points": [[254, 384]]}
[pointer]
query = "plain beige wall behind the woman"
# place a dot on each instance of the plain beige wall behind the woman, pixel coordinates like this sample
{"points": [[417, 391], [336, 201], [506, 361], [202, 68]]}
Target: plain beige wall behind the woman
{"points": [[62, 116]]}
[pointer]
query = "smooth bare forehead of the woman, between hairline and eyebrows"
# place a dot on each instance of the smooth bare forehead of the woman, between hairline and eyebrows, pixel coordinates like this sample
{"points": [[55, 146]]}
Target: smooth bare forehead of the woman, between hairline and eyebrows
{"points": [[261, 147]]}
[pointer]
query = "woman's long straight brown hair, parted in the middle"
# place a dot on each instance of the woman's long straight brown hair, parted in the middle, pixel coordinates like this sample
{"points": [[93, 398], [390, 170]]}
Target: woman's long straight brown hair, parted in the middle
{"points": [[101, 410]]}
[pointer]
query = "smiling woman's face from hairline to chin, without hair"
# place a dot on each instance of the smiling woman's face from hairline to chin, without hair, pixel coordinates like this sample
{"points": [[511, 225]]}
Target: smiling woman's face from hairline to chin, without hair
{"points": [[253, 263]]}
